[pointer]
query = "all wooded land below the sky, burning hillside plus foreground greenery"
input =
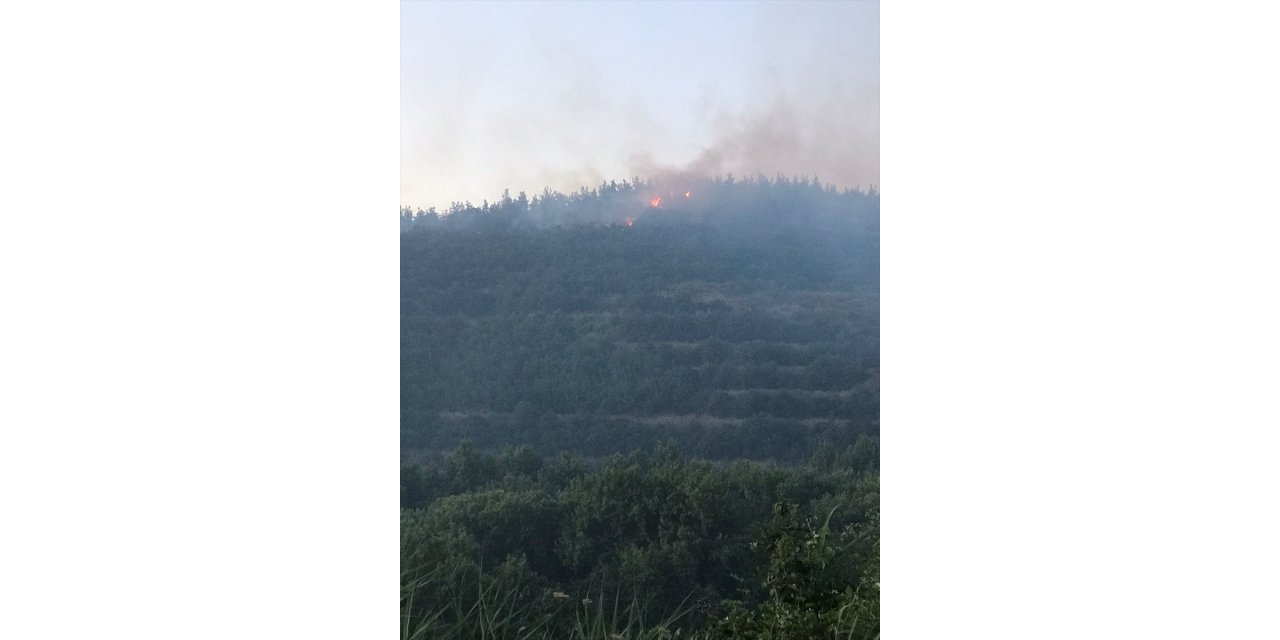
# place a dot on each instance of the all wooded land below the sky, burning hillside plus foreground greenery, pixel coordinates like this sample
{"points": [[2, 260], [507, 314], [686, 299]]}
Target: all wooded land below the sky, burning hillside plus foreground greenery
{"points": [[644, 409]]}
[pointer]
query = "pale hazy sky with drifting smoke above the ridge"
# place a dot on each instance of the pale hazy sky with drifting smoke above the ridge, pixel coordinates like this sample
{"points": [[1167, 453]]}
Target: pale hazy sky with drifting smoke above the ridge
{"points": [[563, 95]]}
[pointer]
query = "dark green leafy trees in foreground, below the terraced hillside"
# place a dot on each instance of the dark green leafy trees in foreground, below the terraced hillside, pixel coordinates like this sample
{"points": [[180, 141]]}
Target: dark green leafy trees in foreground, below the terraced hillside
{"points": [[744, 550]]}
